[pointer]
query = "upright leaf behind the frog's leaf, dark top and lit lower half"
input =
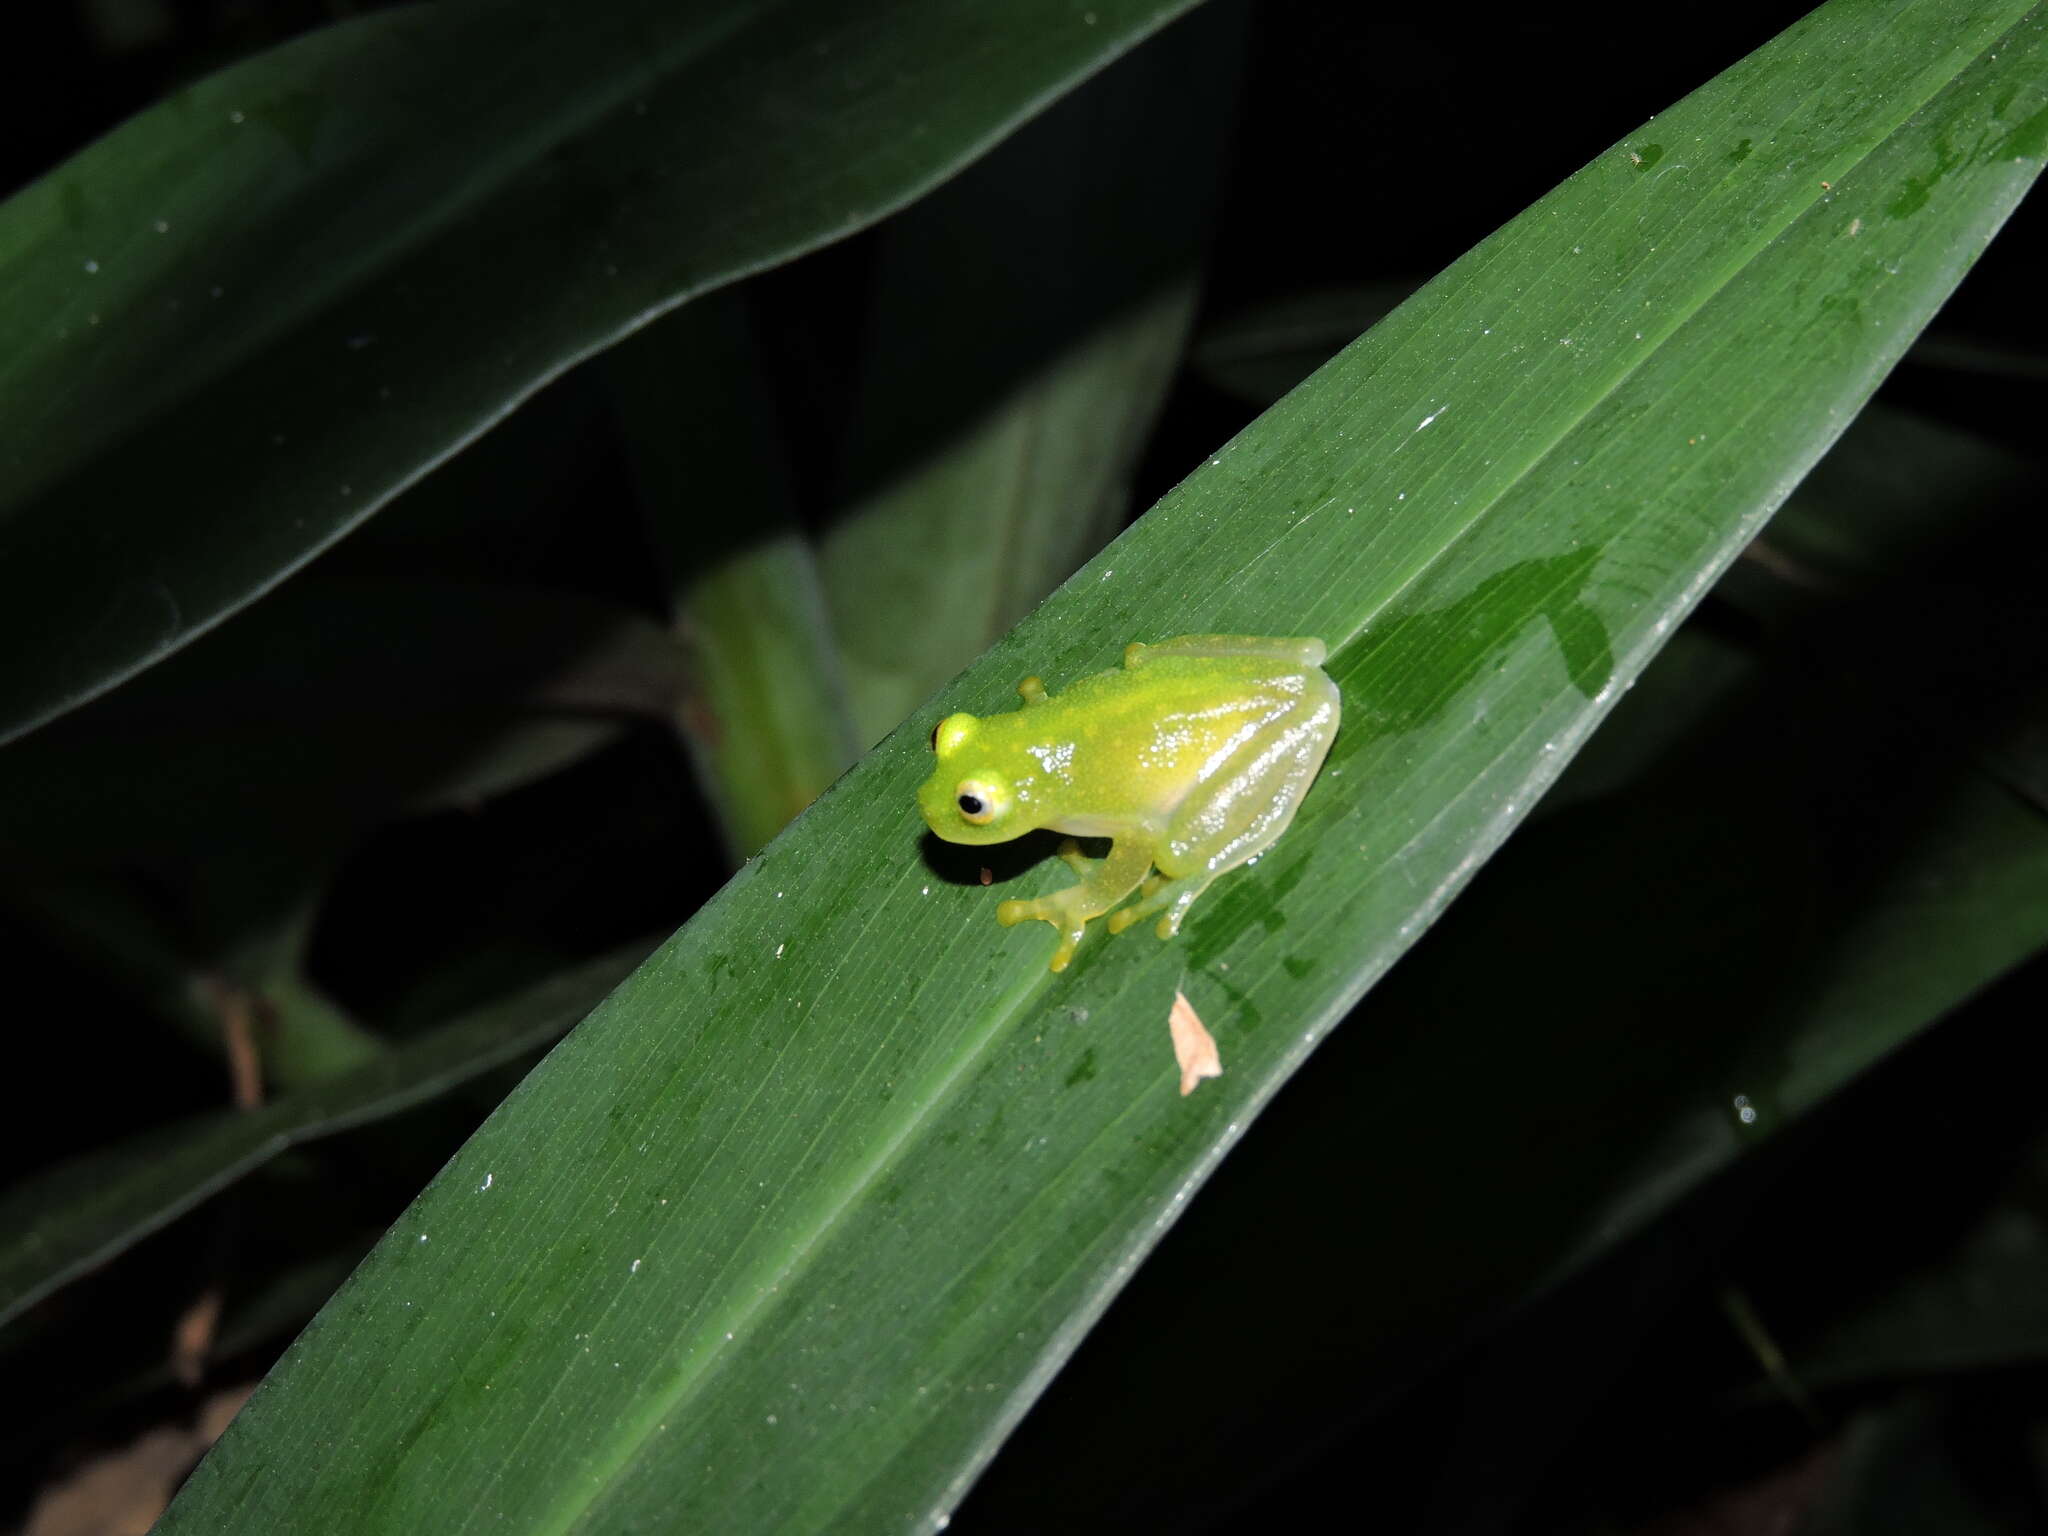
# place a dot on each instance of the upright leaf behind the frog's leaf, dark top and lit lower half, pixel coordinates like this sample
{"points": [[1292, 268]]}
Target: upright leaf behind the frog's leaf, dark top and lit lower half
{"points": [[1052, 290]]}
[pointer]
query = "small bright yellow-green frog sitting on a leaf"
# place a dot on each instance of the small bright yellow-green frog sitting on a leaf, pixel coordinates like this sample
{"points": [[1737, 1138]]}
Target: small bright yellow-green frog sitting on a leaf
{"points": [[1191, 761]]}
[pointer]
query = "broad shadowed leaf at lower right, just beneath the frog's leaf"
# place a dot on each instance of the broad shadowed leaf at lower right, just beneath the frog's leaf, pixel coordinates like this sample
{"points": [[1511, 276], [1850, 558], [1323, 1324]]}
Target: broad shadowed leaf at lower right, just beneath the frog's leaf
{"points": [[1764, 925]]}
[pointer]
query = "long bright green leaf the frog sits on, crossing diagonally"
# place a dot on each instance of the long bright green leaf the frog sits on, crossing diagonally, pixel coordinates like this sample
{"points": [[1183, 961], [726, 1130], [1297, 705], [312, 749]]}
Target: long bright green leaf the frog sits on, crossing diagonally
{"points": [[796, 1226]]}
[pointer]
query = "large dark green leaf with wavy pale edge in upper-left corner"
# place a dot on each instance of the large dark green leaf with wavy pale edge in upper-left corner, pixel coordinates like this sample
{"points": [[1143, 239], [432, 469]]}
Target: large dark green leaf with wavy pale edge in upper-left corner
{"points": [[251, 316]]}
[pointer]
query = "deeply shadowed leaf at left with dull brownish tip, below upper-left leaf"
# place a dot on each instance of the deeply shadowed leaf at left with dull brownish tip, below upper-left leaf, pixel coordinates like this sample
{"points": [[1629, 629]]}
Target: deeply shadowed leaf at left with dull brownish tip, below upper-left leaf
{"points": [[439, 695]]}
